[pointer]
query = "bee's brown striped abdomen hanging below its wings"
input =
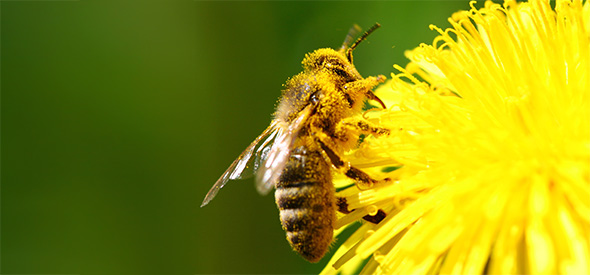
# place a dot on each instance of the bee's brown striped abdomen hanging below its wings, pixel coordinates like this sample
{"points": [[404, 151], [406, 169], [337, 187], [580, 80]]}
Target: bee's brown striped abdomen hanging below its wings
{"points": [[307, 204]]}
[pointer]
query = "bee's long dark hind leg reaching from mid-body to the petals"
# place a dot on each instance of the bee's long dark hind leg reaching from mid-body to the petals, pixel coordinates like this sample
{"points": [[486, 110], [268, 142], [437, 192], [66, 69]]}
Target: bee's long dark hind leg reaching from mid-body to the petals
{"points": [[363, 180]]}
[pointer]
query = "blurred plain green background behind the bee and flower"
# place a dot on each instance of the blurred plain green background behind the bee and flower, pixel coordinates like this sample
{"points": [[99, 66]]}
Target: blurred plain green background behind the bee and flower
{"points": [[118, 116]]}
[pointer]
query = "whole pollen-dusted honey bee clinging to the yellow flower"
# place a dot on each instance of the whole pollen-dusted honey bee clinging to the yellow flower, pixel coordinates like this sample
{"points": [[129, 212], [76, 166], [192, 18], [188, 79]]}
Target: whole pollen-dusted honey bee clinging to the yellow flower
{"points": [[314, 124]]}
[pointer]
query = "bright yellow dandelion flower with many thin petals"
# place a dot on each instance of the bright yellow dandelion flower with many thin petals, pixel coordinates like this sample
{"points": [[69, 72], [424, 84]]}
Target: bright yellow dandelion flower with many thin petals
{"points": [[490, 150]]}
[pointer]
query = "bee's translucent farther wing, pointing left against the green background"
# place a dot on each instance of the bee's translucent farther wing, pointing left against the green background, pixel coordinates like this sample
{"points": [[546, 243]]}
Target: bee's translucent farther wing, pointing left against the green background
{"points": [[247, 163]]}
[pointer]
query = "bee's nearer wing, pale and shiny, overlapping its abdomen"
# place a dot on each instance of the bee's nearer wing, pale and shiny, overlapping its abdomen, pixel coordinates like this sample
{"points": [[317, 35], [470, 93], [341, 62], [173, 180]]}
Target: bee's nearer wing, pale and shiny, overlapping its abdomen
{"points": [[277, 157]]}
